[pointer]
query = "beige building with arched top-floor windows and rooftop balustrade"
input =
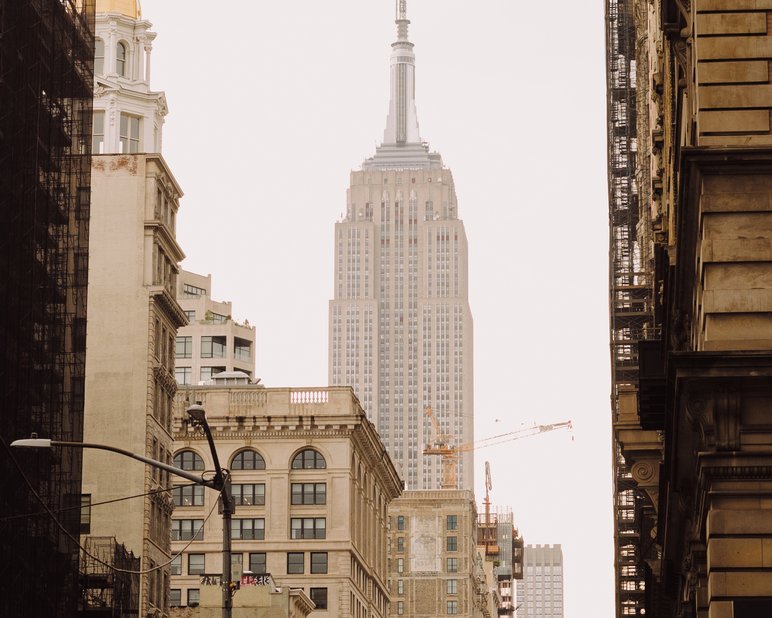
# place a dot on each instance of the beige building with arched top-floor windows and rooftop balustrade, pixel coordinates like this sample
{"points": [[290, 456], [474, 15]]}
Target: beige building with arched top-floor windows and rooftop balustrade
{"points": [[312, 483]]}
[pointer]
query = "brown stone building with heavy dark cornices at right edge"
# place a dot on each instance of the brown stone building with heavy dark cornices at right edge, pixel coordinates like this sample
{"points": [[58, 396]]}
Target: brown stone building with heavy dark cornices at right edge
{"points": [[696, 432]]}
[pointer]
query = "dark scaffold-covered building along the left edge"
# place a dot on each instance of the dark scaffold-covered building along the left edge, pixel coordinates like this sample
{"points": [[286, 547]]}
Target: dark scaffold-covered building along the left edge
{"points": [[46, 62]]}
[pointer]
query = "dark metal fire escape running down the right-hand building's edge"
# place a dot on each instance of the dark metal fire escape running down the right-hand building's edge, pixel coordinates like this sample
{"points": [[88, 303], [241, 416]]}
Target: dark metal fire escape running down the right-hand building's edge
{"points": [[630, 289]]}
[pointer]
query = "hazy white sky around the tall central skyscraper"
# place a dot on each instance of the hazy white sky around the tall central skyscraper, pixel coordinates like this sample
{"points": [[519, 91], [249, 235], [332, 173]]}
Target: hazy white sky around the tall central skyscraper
{"points": [[273, 103]]}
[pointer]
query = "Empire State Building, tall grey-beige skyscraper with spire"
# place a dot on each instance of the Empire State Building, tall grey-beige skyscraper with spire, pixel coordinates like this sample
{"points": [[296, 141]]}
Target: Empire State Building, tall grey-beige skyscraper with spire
{"points": [[400, 323]]}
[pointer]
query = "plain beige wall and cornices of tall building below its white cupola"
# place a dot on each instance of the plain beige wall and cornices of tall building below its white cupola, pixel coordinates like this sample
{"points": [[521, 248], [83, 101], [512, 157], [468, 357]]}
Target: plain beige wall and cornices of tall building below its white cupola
{"points": [[130, 345]]}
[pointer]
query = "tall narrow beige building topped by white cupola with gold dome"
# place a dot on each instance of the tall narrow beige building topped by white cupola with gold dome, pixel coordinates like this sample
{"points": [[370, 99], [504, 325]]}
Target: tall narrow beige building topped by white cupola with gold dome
{"points": [[134, 316]]}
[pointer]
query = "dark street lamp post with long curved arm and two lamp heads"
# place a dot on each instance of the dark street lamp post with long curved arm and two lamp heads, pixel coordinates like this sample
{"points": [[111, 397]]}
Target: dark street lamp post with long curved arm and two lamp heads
{"points": [[220, 483]]}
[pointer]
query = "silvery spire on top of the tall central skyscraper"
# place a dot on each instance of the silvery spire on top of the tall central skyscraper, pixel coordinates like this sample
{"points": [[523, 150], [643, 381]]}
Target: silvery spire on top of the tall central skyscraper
{"points": [[402, 121]]}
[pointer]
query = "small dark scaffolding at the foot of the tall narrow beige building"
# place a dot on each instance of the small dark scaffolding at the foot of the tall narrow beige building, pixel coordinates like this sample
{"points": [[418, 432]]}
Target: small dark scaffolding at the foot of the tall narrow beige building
{"points": [[105, 591]]}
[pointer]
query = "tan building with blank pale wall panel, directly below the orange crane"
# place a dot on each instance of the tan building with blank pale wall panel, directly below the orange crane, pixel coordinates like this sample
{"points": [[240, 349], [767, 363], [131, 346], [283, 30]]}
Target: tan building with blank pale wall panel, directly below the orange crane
{"points": [[434, 567]]}
